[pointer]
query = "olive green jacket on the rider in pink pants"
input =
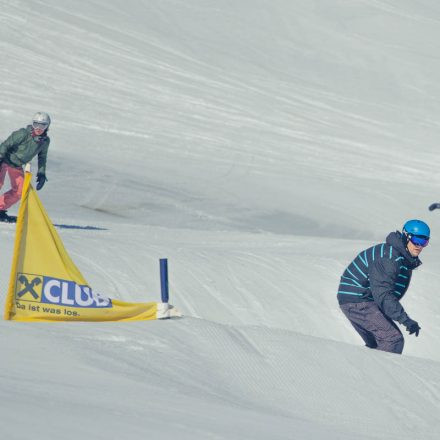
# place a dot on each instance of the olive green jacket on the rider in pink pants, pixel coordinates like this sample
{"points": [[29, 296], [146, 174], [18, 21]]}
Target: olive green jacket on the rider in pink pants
{"points": [[20, 148]]}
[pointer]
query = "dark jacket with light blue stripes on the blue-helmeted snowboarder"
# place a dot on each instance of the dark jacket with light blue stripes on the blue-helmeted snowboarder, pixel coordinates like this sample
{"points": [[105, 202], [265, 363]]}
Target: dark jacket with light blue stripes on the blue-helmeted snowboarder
{"points": [[382, 274]]}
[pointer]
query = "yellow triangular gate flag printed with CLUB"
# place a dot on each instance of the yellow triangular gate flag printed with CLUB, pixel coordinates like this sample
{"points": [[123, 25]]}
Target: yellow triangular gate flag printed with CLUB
{"points": [[45, 284]]}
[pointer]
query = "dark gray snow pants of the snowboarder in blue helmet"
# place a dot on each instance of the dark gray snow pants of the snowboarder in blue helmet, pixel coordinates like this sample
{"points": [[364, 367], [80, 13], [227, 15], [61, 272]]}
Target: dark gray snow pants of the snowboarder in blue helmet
{"points": [[375, 328]]}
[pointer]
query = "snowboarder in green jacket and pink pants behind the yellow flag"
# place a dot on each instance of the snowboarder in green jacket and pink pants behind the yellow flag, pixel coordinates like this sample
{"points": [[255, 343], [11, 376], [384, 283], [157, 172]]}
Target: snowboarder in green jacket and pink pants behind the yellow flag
{"points": [[15, 152]]}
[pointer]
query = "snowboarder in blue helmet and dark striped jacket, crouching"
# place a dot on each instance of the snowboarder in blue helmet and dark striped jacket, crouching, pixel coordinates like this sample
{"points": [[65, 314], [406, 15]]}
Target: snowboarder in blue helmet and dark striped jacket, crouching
{"points": [[373, 284]]}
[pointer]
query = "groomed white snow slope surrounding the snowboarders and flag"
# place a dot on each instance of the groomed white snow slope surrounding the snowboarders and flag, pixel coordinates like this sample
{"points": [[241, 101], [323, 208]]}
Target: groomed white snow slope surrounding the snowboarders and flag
{"points": [[259, 146]]}
